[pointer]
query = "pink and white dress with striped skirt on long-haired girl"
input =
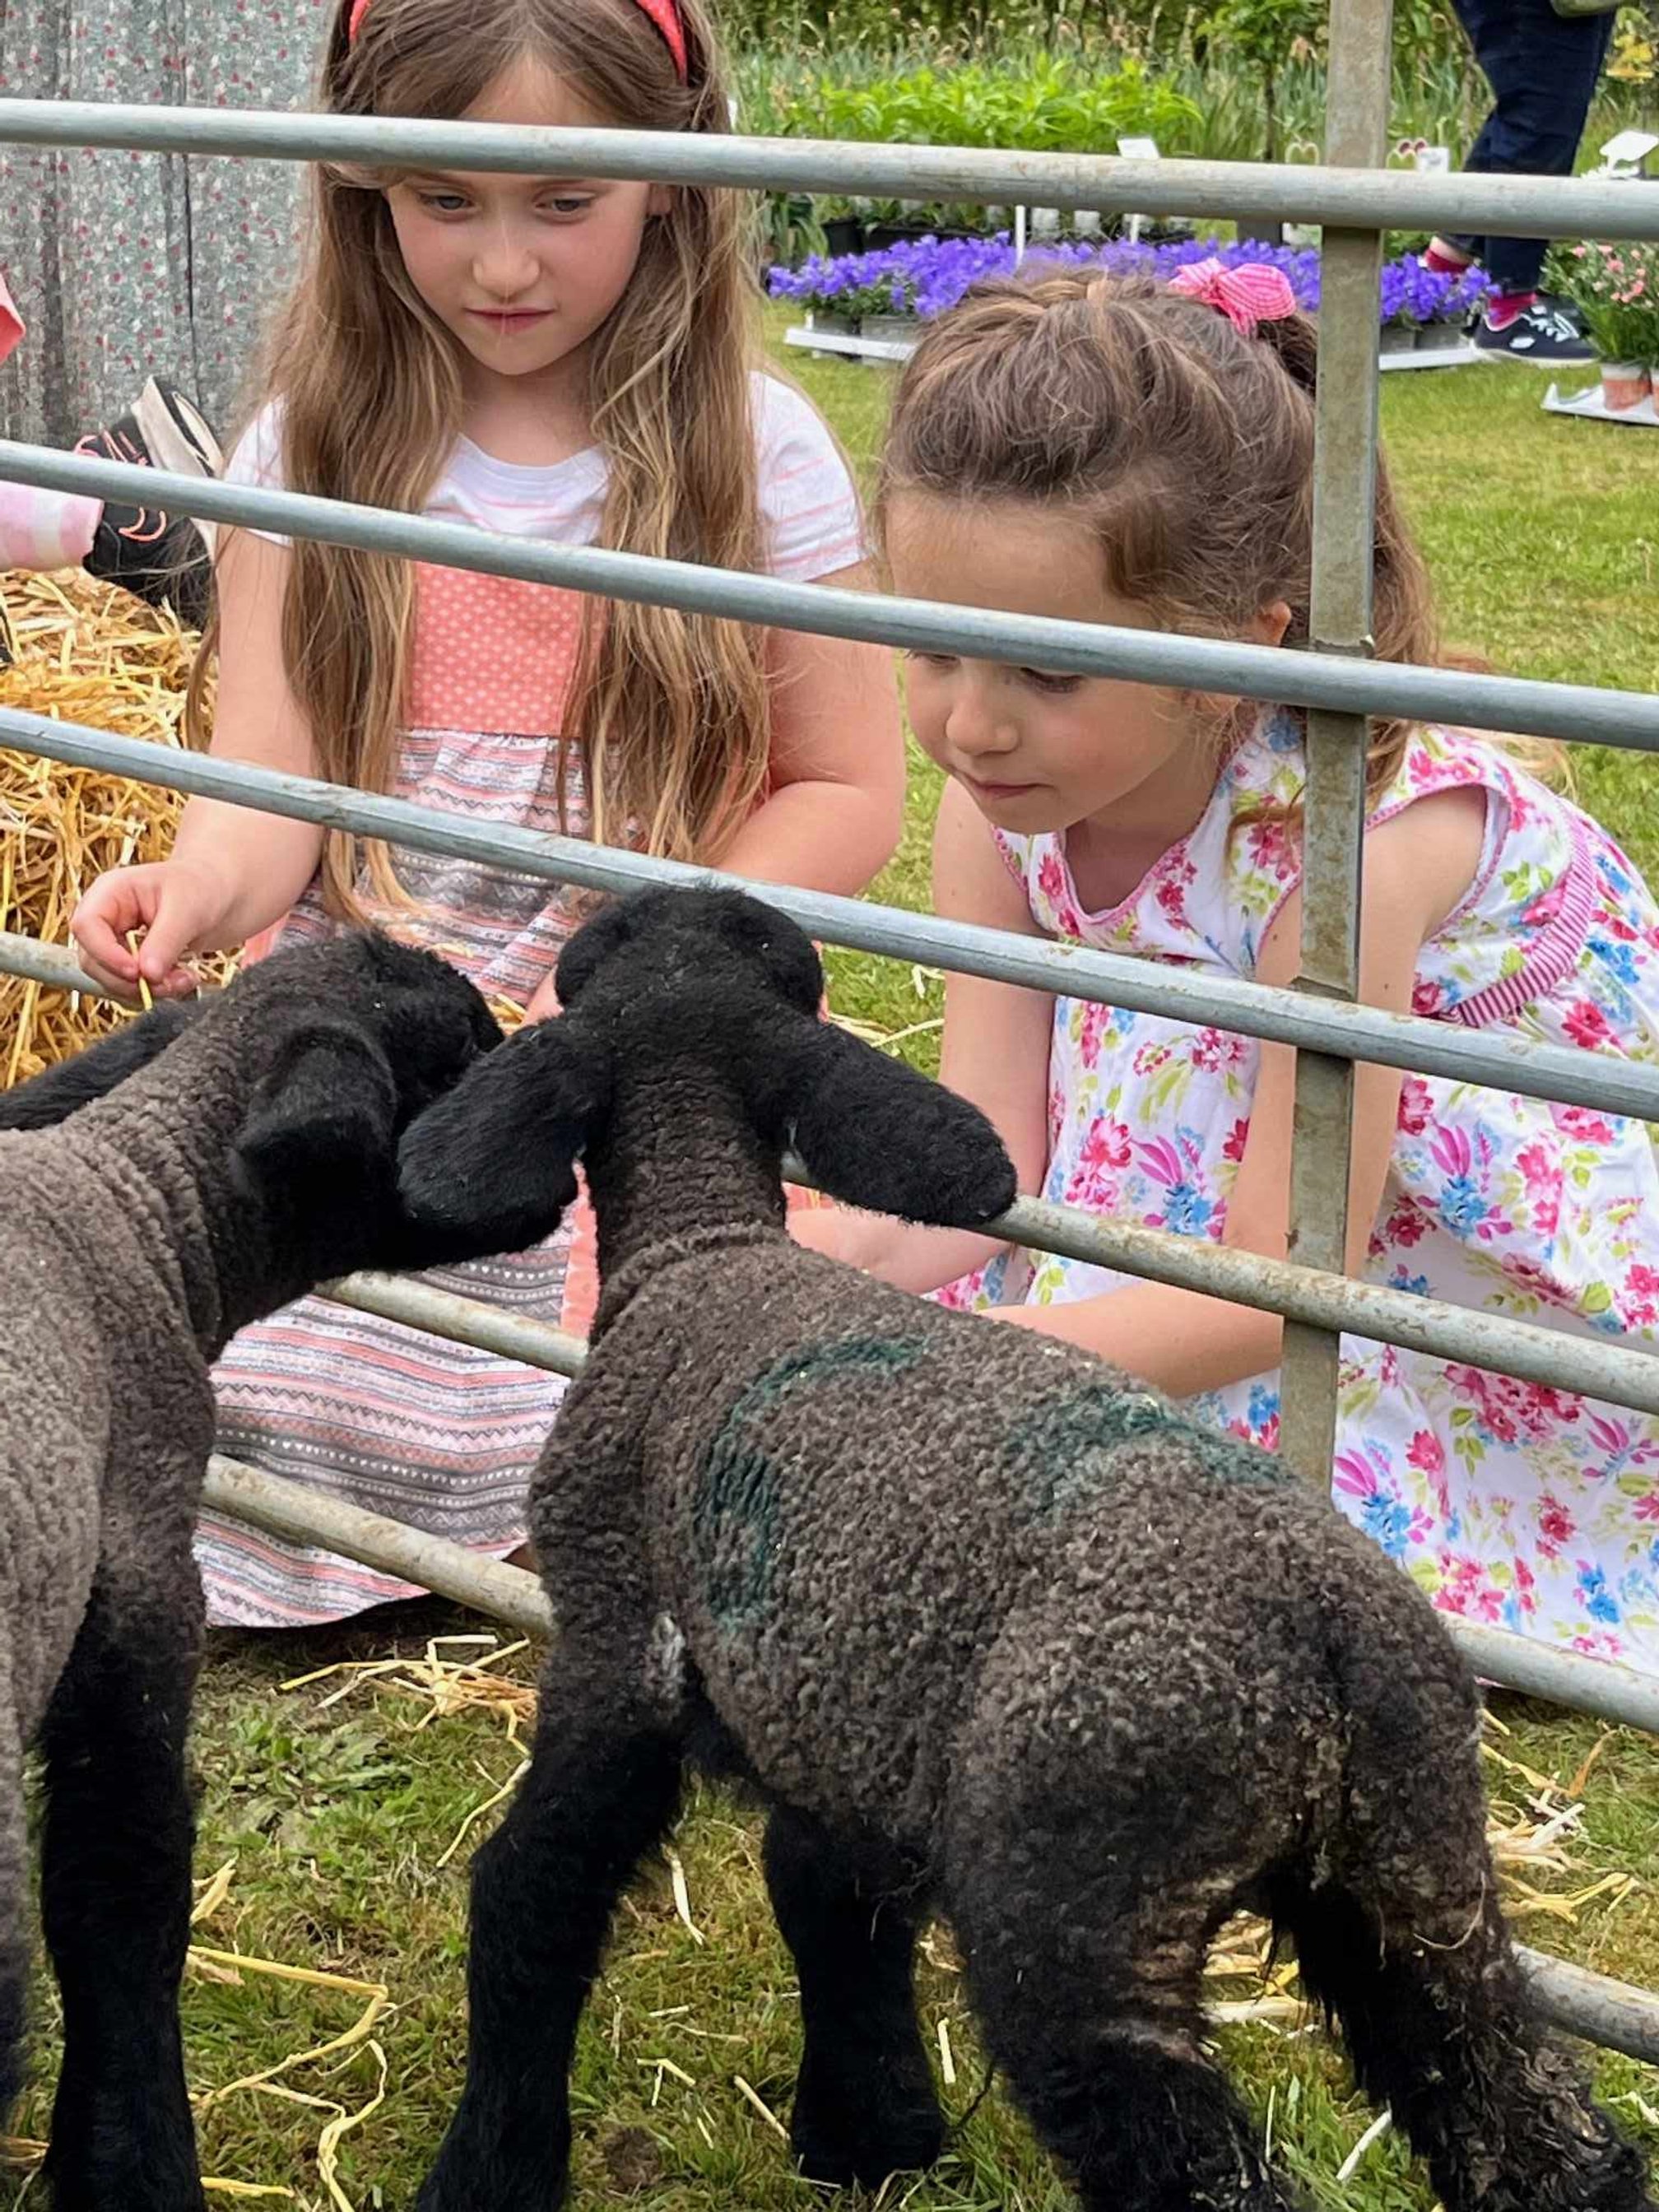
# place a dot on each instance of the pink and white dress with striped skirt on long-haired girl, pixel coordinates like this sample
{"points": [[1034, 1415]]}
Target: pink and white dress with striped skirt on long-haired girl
{"points": [[401, 1423]]}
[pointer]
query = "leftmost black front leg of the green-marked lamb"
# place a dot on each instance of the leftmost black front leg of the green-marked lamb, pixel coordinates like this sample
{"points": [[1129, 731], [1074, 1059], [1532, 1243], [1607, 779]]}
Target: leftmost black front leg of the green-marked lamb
{"points": [[598, 1797]]}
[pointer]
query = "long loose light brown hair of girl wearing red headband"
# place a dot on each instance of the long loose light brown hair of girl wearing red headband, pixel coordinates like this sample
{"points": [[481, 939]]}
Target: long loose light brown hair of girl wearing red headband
{"points": [[669, 713]]}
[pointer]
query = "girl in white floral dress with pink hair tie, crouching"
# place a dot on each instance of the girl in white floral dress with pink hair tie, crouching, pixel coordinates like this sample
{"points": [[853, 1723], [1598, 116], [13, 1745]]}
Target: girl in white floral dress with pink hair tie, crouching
{"points": [[1138, 455]]}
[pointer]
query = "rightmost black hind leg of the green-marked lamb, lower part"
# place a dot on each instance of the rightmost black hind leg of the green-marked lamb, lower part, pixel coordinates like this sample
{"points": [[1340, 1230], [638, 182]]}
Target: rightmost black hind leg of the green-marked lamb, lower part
{"points": [[1439, 2030]]}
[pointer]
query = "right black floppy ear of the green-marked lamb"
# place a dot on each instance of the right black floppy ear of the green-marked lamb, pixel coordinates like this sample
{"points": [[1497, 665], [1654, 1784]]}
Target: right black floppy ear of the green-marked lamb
{"points": [[877, 1134]]}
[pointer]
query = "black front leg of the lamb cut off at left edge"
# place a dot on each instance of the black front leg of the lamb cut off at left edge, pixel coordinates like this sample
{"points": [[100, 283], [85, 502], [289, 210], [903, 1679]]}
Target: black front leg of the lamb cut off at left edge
{"points": [[116, 1899]]}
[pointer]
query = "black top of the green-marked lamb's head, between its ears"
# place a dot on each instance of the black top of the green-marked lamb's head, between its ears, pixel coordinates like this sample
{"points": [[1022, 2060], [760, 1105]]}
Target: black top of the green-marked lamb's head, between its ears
{"points": [[660, 941]]}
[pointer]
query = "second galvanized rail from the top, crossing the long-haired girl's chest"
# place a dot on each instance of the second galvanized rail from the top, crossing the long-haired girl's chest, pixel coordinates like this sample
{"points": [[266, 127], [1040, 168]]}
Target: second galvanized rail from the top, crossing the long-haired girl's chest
{"points": [[1578, 713]]}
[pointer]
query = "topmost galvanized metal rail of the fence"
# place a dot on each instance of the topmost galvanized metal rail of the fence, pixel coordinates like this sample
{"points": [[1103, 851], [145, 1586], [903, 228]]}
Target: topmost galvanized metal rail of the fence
{"points": [[1397, 200]]}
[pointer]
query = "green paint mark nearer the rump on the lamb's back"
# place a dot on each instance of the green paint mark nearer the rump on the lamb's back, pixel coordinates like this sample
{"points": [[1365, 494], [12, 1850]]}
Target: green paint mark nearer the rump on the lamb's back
{"points": [[1063, 1452]]}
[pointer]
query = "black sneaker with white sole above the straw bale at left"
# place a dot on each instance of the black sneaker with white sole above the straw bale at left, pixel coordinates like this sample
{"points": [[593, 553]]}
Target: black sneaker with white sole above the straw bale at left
{"points": [[160, 559]]}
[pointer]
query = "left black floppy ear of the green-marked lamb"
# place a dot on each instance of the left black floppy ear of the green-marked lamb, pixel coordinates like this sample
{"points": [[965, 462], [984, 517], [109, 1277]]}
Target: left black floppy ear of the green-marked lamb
{"points": [[494, 1160]]}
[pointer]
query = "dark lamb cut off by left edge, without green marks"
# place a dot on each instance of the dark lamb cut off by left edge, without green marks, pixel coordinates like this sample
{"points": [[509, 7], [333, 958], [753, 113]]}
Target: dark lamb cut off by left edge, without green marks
{"points": [[244, 1154]]}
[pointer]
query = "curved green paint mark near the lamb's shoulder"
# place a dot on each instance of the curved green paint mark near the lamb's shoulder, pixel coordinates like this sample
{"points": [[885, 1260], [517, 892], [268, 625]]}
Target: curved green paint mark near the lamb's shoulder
{"points": [[735, 1514]]}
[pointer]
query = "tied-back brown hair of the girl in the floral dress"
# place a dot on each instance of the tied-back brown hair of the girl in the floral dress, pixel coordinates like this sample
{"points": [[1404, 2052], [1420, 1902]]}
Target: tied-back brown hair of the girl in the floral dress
{"points": [[1182, 444]]}
